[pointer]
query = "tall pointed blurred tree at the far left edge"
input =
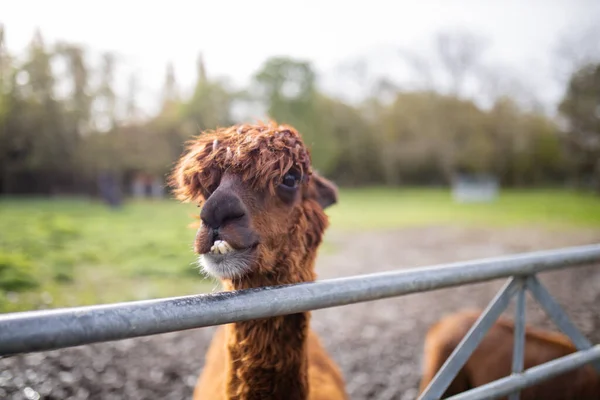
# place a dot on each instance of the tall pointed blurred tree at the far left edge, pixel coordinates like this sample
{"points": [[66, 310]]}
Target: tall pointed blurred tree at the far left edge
{"points": [[38, 141]]}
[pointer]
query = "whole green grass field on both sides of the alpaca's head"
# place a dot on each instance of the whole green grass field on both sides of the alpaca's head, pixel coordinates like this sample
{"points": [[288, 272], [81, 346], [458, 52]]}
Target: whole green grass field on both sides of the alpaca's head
{"points": [[71, 252]]}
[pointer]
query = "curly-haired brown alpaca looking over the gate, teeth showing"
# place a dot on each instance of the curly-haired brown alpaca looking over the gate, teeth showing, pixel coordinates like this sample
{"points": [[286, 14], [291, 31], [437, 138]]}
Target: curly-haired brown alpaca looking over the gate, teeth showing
{"points": [[262, 221]]}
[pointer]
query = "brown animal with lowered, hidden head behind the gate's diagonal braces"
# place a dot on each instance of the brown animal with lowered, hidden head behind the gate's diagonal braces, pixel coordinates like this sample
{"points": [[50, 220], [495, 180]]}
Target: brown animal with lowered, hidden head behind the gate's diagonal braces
{"points": [[493, 359]]}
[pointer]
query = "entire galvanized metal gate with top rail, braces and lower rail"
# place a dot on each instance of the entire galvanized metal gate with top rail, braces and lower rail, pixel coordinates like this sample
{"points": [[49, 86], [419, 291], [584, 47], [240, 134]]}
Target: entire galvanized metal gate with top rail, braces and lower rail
{"points": [[60, 328]]}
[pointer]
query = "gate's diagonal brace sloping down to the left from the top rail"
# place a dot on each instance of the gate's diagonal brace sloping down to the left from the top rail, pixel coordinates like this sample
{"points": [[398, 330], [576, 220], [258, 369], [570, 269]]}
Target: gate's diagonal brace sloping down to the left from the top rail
{"points": [[470, 341]]}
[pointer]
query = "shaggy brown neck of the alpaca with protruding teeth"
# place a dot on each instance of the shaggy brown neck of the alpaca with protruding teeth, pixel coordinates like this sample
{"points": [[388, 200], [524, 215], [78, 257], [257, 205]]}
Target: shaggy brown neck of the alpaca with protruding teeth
{"points": [[267, 357]]}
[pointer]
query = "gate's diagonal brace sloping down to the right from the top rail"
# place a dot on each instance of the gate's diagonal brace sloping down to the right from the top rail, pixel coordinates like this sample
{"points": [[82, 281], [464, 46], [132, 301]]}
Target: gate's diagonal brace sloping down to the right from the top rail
{"points": [[558, 315]]}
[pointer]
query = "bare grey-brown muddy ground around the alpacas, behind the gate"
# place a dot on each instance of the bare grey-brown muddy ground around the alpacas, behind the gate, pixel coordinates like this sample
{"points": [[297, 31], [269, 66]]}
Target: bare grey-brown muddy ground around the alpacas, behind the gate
{"points": [[377, 344]]}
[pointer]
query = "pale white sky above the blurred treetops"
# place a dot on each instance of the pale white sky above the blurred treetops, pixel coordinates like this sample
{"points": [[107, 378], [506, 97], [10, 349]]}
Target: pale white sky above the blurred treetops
{"points": [[235, 37]]}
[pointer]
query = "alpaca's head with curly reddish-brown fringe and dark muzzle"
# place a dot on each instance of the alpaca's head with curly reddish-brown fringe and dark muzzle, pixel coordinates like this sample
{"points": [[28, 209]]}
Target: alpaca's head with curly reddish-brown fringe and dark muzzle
{"points": [[261, 201]]}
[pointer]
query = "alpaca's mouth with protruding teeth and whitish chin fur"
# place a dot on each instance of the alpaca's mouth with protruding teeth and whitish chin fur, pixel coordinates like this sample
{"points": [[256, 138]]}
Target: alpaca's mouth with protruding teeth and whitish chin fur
{"points": [[225, 262]]}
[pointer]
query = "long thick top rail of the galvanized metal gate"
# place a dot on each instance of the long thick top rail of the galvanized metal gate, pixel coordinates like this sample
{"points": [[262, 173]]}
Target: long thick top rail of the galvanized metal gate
{"points": [[53, 329]]}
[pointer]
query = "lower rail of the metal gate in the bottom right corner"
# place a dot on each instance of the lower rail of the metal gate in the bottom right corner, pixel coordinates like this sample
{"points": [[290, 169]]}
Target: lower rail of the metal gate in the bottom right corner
{"points": [[531, 376]]}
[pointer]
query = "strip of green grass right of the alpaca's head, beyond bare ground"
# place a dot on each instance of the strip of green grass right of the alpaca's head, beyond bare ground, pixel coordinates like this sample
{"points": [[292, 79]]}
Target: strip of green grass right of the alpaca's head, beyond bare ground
{"points": [[392, 208]]}
